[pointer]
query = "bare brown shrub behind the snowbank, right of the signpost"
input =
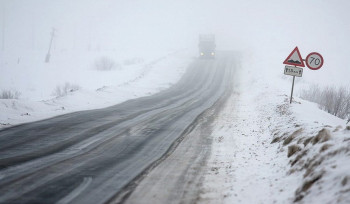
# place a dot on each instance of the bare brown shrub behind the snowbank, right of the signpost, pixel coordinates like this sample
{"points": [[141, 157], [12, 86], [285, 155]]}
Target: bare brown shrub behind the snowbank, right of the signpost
{"points": [[334, 101]]}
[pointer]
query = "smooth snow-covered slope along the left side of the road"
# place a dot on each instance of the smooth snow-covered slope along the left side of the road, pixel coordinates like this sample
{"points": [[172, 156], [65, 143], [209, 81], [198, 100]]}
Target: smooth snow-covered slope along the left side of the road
{"points": [[74, 83]]}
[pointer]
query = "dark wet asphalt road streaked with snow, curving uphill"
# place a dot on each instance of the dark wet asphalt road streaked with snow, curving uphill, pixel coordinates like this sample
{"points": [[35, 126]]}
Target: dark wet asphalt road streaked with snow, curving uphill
{"points": [[90, 156]]}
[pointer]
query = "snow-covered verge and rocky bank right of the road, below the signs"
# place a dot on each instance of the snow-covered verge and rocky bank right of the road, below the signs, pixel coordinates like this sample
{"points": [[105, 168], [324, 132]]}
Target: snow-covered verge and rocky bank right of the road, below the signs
{"points": [[266, 150]]}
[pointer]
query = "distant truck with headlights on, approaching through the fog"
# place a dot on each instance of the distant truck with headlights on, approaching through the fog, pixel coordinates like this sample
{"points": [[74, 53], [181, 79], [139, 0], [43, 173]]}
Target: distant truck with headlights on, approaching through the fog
{"points": [[207, 46]]}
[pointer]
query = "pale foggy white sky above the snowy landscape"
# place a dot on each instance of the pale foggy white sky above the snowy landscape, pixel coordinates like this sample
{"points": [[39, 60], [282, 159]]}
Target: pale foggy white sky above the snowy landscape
{"points": [[271, 27]]}
